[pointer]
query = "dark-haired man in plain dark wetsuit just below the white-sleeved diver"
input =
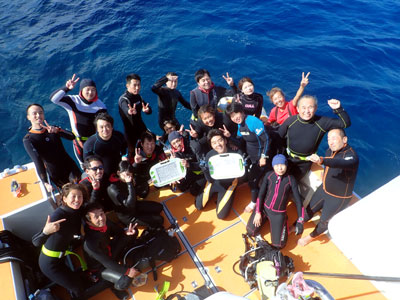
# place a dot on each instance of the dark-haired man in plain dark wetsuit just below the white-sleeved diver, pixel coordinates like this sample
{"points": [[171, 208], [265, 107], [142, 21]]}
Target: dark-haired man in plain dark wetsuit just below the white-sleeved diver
{"points": [[107, 143]]}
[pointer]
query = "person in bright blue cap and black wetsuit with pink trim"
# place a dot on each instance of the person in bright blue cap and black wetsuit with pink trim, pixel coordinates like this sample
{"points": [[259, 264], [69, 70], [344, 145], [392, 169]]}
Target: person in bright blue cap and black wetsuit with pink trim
{"points": [[272, 201]]}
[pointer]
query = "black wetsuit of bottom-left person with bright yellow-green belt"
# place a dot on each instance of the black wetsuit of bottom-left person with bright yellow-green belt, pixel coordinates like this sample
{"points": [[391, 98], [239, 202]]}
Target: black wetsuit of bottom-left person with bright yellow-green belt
{"points": [[53, 267]]}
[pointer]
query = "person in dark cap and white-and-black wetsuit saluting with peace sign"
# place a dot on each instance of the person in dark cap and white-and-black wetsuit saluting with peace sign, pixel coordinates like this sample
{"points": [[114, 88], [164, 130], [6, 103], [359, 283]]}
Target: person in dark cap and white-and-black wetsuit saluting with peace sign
{"points": [[82, 110]]}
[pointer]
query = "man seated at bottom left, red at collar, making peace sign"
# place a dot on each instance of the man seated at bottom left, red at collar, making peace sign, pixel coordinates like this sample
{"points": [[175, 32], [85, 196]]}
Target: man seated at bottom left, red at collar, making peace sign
{"points": [[105, 243]]}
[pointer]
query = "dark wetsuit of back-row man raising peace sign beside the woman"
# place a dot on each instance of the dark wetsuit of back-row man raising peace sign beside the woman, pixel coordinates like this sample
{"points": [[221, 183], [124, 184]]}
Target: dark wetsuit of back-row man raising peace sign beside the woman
{"points": [[199, 98]]}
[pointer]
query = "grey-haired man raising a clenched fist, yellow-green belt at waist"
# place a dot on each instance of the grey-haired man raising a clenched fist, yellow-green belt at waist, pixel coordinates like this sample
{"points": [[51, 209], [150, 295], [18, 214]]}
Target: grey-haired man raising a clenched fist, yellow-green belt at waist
{"points": [[304, 132]]}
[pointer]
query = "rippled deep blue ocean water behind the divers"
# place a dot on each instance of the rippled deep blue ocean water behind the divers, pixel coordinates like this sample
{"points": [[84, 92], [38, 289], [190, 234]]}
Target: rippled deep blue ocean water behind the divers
{"points": [[351, 48]]}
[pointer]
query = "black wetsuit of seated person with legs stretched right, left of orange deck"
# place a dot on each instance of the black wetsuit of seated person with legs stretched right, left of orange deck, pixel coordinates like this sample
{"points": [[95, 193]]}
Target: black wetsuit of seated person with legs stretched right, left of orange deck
{"points": [[129, 210]]}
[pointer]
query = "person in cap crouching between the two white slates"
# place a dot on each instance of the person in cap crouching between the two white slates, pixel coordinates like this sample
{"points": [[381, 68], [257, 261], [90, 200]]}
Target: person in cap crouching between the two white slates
{"points": [[180, 148]]}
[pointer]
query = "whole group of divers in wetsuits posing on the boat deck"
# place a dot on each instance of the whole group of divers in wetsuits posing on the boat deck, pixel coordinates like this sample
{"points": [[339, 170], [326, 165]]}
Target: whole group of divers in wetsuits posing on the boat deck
{"points": [[278, 152]]}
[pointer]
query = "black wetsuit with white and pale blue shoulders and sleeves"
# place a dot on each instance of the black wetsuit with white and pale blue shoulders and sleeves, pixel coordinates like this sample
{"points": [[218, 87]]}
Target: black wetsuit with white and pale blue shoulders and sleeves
{"points": [[81, 115]]}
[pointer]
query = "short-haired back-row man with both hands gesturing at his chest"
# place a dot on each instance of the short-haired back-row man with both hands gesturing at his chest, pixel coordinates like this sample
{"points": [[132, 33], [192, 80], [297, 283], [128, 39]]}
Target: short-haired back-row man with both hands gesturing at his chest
{"points": [[130, 106]]}
